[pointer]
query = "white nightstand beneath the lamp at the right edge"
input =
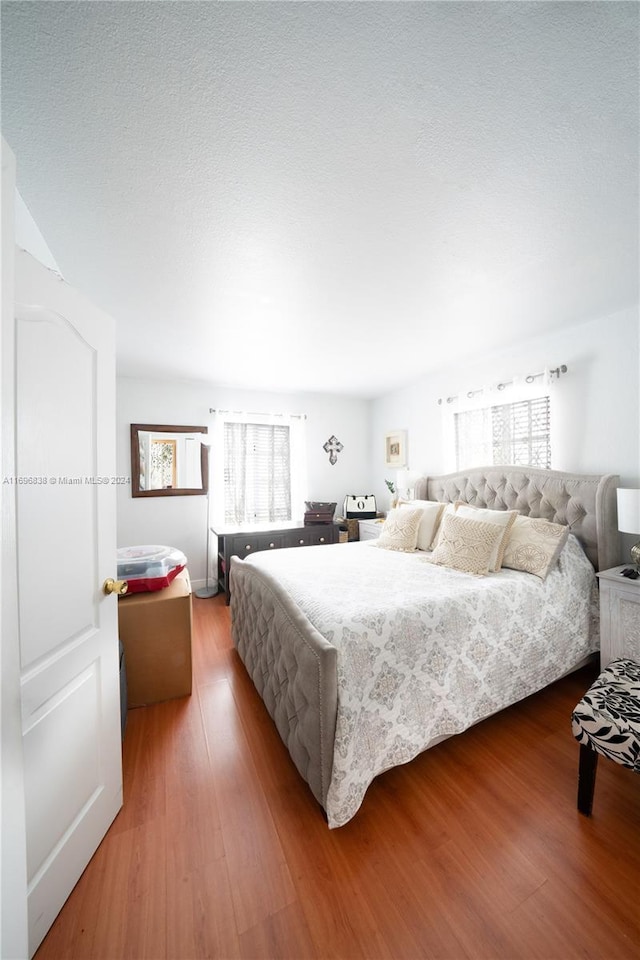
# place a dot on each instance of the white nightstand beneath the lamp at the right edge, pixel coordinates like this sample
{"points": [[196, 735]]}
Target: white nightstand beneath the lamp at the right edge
{"points": [[619, 616]]}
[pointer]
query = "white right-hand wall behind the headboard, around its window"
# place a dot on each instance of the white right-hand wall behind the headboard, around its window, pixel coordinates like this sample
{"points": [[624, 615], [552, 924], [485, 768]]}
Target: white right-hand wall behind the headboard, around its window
{"points": [[595, 410]]}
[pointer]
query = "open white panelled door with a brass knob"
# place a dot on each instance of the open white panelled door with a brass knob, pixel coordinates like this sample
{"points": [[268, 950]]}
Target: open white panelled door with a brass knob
{"points": [[66, 536]]}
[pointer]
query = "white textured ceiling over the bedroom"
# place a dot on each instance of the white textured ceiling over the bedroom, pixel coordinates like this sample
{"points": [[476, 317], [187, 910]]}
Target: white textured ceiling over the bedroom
{"points": [[271, 194]]}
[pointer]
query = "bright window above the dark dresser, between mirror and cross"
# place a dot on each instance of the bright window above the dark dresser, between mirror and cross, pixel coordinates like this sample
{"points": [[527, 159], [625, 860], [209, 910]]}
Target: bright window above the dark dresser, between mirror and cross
{"points": [[261, 468]]}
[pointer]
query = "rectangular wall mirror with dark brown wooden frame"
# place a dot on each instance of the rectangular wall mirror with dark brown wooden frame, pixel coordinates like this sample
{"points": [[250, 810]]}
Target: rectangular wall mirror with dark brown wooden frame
{"points": [[168, 461]]}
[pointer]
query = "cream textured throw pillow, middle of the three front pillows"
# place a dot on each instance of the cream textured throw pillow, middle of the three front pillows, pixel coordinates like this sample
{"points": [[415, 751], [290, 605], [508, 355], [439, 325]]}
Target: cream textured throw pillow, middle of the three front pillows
{"points": [[465, 544]]}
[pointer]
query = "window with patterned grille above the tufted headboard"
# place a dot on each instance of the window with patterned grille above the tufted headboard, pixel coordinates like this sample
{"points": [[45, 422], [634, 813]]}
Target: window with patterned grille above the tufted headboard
{"points": [[515, 433]]}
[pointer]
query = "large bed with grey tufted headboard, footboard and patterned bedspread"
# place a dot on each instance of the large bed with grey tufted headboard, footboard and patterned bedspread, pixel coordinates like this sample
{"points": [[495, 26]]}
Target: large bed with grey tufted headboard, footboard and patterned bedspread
{"points": [[365, 657]]}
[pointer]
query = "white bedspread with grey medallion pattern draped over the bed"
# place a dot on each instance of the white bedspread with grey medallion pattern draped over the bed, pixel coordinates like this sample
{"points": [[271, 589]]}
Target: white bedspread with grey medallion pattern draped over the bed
{"points": [[424, 651]]}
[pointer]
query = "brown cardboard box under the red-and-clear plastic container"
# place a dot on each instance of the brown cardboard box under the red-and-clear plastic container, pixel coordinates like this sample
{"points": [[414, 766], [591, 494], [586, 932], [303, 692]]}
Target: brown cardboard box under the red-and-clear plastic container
{"points": [[155, 629]]}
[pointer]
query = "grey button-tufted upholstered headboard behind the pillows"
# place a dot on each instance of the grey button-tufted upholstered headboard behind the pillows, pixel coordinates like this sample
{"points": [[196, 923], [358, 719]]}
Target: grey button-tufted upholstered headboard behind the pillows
{"points": [[587, 504]]}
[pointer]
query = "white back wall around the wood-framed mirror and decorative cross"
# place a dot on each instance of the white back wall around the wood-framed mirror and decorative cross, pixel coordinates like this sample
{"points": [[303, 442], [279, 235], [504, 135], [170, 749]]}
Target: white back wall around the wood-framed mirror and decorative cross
{"points": [[181, 521]]}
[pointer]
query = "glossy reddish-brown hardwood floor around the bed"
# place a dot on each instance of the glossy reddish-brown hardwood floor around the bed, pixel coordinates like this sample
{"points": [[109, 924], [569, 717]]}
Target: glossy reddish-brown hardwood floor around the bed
{"points": [[473, 850]]}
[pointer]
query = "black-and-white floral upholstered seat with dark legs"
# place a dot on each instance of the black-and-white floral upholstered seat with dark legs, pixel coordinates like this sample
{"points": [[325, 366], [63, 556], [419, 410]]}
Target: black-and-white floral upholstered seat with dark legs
{"points": [[607, 722]]}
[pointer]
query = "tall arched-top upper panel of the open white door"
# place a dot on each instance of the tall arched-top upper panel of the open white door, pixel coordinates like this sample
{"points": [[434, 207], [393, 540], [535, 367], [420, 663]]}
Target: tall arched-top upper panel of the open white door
{"points": [[56, 464]]}
